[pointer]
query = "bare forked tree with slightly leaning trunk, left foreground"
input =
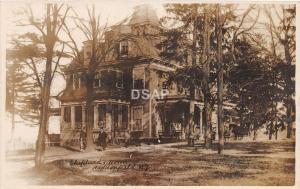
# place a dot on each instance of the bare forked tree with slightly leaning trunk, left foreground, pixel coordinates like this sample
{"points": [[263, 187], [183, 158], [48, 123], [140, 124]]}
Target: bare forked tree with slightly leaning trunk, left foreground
{"points": [[45, 36]]}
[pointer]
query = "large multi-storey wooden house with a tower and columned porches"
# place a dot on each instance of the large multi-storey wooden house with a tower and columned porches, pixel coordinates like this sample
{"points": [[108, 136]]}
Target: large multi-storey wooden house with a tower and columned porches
{"points": [[132, 66]]}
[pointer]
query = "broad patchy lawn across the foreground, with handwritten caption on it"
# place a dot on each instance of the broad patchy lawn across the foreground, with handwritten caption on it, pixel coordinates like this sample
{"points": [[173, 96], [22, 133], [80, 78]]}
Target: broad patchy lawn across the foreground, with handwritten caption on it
{"points": [[243, 163]]}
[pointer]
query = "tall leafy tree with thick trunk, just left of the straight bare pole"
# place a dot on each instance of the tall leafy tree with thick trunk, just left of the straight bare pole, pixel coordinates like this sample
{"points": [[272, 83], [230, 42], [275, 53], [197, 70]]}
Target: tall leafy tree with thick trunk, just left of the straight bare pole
{"points": [[179, 46]]}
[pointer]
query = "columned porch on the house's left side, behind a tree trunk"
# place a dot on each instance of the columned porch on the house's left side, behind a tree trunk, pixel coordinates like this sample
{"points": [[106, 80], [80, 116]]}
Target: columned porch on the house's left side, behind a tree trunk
{"points": [[113, 116]]}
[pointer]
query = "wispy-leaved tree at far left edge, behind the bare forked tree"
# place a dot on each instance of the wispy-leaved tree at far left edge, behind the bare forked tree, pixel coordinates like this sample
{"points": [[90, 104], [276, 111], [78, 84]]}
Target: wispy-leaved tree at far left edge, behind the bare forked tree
{"points": [[24, 78]]}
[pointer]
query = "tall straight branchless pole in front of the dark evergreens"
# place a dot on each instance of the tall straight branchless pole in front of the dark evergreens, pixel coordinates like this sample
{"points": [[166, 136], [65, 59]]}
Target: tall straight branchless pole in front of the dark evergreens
{"points": [[220, 80]]}
